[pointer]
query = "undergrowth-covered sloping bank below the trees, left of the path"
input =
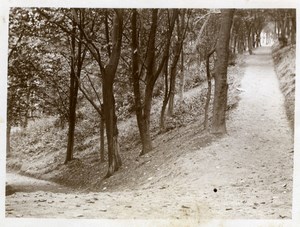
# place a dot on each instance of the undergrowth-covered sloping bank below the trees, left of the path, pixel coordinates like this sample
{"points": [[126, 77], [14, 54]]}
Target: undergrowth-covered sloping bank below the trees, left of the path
{"points": [[39, 150]]}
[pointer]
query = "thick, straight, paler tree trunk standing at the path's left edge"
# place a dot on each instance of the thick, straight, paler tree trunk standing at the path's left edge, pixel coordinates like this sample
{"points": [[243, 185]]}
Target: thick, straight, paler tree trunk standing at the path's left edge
{"points": [[221, 87]]}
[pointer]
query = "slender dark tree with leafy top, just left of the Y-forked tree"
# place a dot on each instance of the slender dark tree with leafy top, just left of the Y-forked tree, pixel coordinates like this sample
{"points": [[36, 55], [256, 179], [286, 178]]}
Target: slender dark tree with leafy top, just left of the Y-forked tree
{"points": [[75, 56]]}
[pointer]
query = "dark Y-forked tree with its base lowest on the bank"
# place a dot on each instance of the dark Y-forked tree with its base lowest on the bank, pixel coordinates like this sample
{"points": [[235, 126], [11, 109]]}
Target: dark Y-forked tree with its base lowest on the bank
{"points": [[108, 73]]}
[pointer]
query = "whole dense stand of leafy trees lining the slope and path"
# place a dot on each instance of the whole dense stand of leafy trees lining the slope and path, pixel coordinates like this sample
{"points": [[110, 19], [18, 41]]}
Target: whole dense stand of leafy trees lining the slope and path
{"points": [[118, 60]]}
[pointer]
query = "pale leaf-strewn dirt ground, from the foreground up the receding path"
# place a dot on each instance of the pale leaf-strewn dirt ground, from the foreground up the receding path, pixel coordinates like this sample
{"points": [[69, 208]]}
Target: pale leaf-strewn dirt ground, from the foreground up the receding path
{"points": [[245, 174]]}
